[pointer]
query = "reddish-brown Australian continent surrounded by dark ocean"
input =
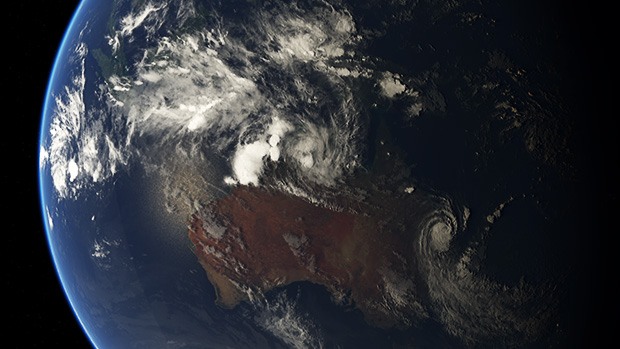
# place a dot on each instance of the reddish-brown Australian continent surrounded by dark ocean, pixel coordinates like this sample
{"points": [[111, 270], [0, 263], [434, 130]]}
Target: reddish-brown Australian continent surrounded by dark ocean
{"points": [[256, 240]]}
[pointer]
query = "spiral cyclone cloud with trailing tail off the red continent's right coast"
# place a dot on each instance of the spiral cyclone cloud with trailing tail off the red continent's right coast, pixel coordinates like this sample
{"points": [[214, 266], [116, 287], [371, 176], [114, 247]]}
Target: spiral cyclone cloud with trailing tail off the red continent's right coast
{"points": [[459, 292]]}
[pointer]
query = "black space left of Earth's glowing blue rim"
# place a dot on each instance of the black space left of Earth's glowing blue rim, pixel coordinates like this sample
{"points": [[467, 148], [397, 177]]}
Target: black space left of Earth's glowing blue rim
{"points": [[38, 313]]}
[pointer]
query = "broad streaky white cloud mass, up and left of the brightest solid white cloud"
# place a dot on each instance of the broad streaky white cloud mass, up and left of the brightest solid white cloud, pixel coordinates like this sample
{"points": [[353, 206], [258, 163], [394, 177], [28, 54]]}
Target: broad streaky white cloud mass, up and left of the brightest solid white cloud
{"points": [[194, 91]]}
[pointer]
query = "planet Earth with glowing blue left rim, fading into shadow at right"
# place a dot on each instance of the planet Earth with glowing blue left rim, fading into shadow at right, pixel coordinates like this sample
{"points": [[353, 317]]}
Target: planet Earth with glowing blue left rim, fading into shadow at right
{"points": [[312, 174]]}
